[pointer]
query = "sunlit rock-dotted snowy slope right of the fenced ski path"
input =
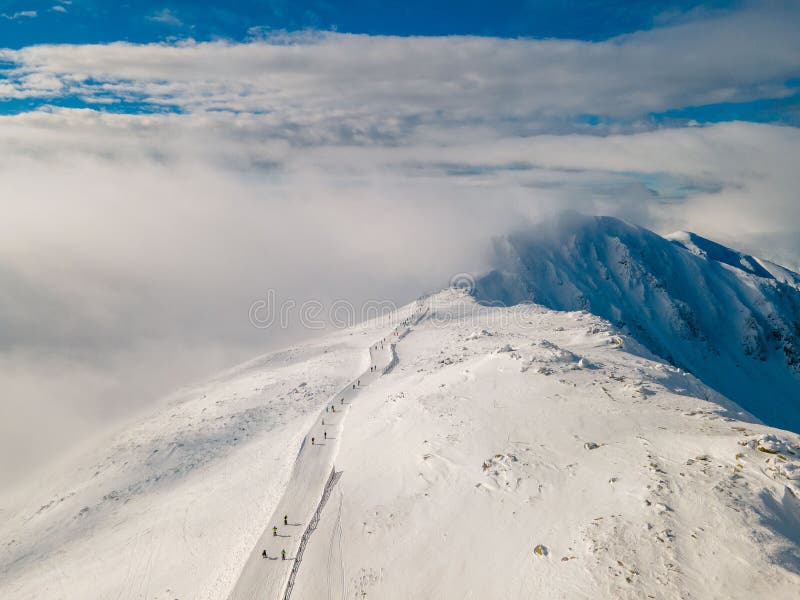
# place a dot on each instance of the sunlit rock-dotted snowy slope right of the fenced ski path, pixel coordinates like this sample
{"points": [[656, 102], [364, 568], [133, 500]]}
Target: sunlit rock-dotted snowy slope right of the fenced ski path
{"points": [[502, 430]]}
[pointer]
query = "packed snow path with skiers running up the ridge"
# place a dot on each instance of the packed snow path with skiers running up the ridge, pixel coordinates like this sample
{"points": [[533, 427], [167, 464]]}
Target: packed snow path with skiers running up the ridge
{"points": [[267, 578]]}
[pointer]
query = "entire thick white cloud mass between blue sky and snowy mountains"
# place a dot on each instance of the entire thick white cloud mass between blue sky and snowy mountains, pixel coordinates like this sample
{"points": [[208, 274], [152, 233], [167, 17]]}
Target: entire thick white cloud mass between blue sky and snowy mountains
{"points": [[132, 246]]}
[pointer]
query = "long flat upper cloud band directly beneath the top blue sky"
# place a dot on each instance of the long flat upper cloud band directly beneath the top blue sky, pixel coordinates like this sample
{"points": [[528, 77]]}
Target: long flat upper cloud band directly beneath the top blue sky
{"points": [[525, 83]]}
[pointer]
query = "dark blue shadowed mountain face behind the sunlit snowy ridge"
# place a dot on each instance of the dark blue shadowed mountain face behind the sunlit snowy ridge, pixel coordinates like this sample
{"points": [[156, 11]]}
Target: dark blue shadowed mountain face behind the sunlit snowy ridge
{"points": [[731, 319]]}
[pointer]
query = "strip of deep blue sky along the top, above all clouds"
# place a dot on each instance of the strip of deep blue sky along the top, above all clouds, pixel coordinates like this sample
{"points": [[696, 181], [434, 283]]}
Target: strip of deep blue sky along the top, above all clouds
{"points": [[92, 21]]}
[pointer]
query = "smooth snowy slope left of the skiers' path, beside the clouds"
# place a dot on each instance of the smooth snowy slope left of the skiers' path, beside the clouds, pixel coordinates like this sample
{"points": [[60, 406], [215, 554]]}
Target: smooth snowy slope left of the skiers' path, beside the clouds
{"points": [[172, 506]]}
